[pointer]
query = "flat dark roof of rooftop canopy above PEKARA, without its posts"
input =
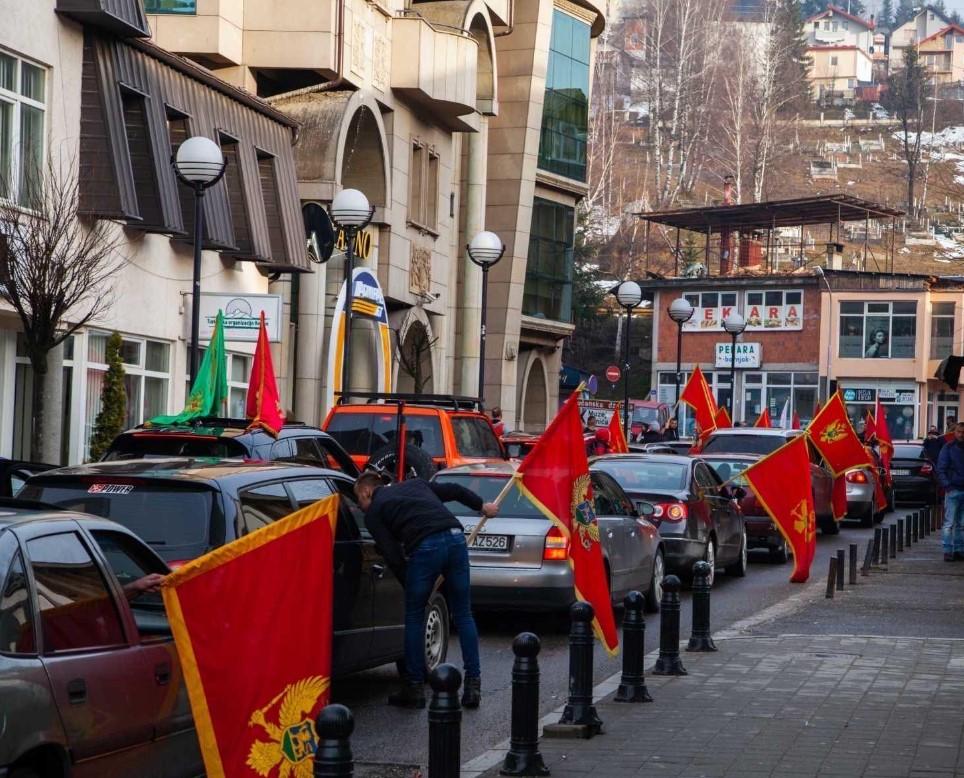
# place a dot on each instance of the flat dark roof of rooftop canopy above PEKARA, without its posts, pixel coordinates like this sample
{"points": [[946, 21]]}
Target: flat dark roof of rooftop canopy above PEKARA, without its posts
{"points": [[825, 209]]}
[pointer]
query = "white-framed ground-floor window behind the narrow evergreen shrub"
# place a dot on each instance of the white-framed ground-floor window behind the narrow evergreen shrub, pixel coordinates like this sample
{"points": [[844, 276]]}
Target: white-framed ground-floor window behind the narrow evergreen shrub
{"points": [[147, 376]]}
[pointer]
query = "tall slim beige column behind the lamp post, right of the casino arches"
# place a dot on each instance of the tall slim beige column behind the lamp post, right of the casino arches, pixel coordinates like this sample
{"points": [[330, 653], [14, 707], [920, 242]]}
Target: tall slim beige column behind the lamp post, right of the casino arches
{"points": [[471, 311]]}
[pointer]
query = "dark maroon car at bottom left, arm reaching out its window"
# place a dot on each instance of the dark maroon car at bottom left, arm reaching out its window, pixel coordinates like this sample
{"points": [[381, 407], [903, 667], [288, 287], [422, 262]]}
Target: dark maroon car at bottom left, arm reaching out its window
{"points": [[70, 641]]}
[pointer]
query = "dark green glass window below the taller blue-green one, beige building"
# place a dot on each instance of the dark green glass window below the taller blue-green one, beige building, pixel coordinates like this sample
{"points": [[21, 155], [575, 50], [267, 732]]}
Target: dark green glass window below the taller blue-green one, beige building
{"points": [[548, 287]]}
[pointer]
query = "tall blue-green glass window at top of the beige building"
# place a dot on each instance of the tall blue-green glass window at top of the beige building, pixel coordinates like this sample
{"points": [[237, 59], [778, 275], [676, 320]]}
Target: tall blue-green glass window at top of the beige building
{"points": [[565, 112]]}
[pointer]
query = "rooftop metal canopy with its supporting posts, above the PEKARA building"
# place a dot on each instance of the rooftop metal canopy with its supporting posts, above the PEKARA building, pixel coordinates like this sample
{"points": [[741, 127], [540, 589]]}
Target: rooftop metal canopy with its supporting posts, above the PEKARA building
{"points": [[831, 210]]}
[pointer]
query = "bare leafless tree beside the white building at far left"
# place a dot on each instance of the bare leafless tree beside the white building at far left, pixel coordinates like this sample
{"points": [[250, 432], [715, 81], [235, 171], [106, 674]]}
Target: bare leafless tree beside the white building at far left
{"points": [[55, 269]]}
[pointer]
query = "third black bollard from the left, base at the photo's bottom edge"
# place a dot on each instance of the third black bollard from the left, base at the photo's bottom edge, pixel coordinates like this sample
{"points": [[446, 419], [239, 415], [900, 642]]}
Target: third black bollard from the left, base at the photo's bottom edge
{"points": [[524, 757]]}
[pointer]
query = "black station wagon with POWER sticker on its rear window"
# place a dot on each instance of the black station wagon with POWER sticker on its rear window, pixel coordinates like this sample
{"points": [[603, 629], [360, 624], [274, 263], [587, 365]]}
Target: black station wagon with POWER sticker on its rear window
{"points": [[183, 508]]}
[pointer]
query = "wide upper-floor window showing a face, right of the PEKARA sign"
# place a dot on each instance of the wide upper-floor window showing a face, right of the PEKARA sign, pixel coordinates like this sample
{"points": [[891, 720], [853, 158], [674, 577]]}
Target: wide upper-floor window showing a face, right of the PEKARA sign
{"points": [[878, 330]]}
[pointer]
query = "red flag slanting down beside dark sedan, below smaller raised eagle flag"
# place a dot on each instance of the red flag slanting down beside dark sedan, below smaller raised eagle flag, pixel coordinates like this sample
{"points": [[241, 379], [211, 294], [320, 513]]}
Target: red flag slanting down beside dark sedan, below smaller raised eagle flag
{"points": [[781, 483]]}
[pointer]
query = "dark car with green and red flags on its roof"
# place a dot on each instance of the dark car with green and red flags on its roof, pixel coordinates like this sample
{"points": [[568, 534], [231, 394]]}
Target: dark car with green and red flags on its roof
{"points": [[226, 438]]}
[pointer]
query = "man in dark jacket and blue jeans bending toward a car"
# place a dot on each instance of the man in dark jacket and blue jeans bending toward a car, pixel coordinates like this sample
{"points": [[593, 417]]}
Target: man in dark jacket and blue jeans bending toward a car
{"points": [[409, 519]]}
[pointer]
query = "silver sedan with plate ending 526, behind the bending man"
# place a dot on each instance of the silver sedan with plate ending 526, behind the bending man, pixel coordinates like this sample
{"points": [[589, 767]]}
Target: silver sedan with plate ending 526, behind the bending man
{"points": [[520, 559]]}
